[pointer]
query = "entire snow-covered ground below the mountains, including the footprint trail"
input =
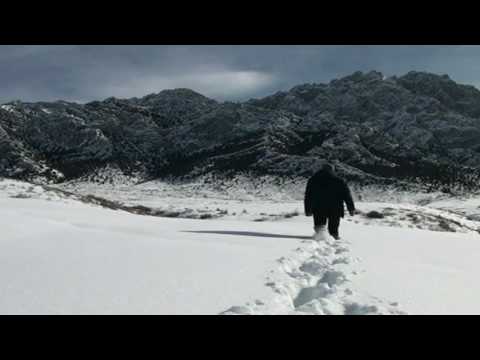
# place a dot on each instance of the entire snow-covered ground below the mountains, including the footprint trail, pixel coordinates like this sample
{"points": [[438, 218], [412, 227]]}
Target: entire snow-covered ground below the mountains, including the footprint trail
{"points": [[255, 255]]}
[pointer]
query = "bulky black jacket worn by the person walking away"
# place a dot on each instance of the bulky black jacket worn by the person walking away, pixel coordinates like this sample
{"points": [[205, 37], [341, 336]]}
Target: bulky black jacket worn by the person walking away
{"points": [[325, 195]]}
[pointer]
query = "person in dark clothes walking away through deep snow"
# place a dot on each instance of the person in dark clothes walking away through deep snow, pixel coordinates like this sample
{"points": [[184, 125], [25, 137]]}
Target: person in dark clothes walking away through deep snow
{"points": [[324, 198]]}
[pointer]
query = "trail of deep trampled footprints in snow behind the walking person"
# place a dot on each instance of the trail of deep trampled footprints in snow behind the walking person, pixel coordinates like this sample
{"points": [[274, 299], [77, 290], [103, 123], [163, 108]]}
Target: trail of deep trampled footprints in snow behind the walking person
{"points": [[317, 280]]}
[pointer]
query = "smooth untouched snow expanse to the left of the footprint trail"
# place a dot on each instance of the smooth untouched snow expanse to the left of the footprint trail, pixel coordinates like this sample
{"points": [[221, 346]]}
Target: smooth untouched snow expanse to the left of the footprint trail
{"points": [[73, 258]]}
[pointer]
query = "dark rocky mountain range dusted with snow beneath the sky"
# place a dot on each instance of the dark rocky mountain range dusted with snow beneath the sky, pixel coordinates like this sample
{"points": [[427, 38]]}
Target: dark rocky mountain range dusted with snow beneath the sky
{"points": [[419, 127]]}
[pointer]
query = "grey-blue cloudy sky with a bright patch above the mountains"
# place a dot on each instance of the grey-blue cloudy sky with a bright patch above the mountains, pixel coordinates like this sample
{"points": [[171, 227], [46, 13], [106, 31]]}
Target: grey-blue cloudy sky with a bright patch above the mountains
{"points": [[229, 72]]}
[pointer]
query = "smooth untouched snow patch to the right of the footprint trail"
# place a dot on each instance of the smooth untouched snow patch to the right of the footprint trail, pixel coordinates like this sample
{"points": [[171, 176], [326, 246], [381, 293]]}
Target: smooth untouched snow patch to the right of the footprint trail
{"points": [[426, 272]]}
